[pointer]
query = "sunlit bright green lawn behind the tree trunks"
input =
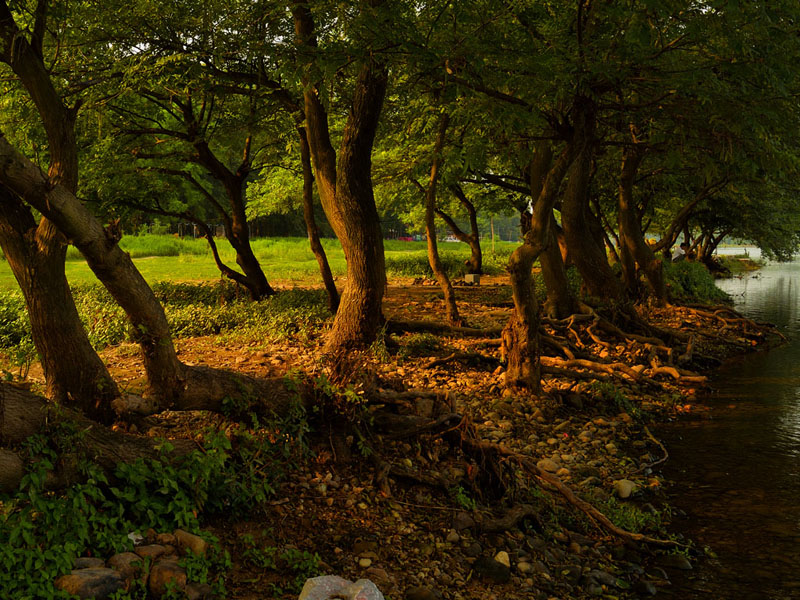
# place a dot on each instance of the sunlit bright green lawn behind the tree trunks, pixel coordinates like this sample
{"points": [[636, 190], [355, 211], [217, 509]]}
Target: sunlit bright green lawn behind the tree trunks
{"points": [[166, 258]]}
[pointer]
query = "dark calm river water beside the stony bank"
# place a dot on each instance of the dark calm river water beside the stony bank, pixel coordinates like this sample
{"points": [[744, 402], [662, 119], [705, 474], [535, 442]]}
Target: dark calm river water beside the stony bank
{"points": [[737, 474]]}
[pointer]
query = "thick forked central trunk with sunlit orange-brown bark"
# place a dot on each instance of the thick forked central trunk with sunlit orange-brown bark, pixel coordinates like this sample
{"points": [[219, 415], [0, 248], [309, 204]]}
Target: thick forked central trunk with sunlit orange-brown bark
{"points": [[345, 188]]}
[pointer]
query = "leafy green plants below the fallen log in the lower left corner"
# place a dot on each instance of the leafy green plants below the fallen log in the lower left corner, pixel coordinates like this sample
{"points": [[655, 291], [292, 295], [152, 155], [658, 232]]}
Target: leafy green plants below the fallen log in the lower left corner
{"points": [[44, 531]]}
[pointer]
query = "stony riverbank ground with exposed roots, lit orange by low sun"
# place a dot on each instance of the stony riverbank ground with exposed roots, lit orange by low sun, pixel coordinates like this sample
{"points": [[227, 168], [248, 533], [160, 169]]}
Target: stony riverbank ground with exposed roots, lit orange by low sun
{"points": [[436, 509]]}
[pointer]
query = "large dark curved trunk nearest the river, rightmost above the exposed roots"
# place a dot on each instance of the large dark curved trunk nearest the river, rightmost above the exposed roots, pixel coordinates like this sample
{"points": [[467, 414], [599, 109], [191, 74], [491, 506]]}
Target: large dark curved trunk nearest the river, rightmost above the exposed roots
{"points": [[630, 231]]}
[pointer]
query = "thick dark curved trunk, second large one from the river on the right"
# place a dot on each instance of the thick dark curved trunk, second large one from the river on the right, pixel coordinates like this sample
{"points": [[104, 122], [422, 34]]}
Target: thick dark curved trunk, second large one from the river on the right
{"points": [[577, 218]]}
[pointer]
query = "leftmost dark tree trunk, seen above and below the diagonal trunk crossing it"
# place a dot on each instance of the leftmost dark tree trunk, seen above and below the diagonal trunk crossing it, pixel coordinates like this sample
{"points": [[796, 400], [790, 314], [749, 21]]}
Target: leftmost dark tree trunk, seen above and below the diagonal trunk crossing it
{"points": [[73, 372]]}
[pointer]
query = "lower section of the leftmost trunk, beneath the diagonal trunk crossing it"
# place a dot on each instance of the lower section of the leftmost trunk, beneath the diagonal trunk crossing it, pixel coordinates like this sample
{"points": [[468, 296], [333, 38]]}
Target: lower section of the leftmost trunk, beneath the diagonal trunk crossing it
{"points": [[74, 374]]}
